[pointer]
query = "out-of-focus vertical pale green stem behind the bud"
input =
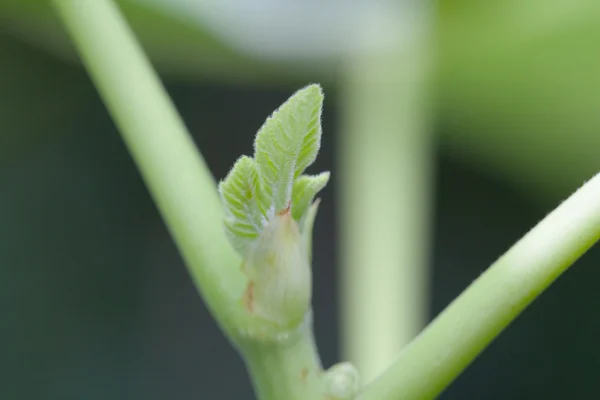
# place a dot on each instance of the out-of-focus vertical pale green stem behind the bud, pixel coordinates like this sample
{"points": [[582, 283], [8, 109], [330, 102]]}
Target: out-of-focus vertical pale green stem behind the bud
{"points": [[386, 165]]}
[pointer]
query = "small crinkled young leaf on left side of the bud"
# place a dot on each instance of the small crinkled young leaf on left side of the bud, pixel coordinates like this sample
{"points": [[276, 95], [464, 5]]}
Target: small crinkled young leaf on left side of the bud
{"points": [[244, 220]]}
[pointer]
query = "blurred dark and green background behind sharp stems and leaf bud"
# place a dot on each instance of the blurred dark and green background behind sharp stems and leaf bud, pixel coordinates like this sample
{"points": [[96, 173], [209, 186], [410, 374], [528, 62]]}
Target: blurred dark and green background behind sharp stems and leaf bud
{"points": [[450, 128]]}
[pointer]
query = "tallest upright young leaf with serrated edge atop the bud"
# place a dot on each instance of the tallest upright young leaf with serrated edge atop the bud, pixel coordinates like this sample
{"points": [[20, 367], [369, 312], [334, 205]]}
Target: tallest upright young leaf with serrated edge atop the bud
{"points": [[285, 145]]}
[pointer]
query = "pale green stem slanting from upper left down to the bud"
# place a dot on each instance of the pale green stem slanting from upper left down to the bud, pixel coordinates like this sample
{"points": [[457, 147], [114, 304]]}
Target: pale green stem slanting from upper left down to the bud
{"points": [[173, 170]]}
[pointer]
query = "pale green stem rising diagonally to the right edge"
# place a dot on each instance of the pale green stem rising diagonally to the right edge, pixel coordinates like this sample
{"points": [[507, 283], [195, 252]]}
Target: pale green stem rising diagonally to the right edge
{"points": [[455, 338]]}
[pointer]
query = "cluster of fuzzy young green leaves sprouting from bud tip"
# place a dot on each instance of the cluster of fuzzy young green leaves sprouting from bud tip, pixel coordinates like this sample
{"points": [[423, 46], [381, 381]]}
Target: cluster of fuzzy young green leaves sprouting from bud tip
{"points": [[259, 188]]}
